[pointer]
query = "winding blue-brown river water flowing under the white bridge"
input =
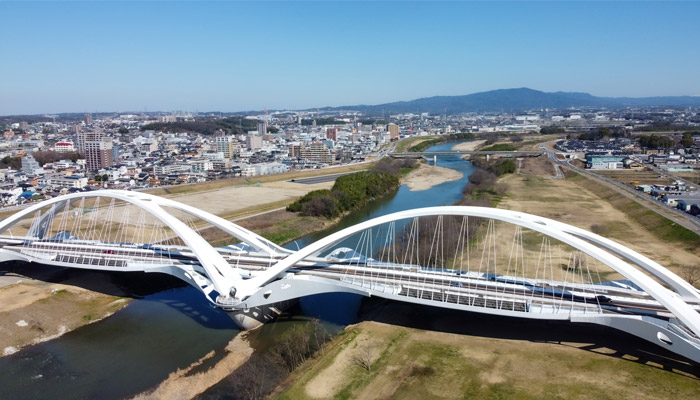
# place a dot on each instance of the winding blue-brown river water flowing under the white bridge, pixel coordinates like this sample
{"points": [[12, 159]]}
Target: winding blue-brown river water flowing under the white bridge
{"points": [[139, 346]]}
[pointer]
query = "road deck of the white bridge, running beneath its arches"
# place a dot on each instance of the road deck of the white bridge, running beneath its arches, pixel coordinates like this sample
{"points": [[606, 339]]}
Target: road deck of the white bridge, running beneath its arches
{"points": [[472, 290]]}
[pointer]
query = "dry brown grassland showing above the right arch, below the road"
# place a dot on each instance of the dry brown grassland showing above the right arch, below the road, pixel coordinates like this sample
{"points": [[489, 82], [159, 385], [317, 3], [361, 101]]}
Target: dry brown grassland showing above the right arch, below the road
{"points": [[581, 202]]}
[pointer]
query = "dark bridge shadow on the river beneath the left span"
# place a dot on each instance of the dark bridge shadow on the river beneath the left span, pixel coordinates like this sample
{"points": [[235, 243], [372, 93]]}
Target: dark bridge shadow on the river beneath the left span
{"points": [[151, 287]]}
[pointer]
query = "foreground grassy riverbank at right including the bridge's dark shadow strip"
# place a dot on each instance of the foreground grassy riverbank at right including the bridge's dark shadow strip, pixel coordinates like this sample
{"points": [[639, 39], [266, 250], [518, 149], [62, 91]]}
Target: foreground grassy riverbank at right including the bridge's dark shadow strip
{"points": [[449, 355]]}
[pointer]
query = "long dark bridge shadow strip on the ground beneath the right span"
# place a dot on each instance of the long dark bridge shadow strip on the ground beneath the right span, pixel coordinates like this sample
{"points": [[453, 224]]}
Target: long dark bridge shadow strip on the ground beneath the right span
{"points": [[593, 338]]}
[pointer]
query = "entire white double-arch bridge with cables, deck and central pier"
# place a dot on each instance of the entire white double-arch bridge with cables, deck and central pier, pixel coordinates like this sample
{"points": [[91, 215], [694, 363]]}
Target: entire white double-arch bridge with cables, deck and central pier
{"points": [[473, 259]]}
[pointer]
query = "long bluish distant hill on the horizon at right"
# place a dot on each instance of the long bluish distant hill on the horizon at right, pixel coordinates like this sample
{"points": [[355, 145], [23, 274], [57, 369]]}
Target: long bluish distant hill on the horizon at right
{"points": [[517, 100]]}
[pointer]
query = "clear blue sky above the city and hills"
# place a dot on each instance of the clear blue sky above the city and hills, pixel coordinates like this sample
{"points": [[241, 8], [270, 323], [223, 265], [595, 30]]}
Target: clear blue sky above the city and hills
{"points": [[232, 56]]}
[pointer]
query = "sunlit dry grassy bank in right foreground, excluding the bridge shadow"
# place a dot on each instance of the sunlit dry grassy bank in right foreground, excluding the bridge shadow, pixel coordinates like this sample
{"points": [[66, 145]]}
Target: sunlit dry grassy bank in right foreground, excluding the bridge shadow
{"points": [[409, 363]]}
